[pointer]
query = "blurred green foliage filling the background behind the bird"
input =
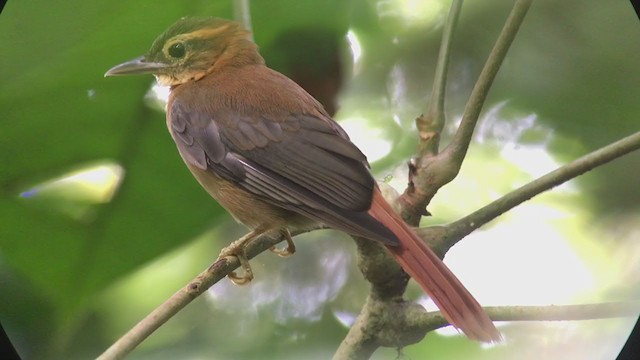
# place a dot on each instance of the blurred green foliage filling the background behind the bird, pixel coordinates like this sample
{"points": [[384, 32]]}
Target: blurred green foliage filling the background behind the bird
{"points": [[572, 71]]}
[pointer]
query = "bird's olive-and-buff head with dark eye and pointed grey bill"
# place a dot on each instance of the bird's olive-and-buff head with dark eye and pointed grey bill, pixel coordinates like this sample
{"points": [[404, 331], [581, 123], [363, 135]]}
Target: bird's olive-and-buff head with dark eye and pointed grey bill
{"points": [[192, 48]]}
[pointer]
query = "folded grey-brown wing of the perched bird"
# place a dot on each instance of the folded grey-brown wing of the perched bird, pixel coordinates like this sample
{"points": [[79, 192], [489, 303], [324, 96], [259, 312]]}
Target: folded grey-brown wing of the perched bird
{"points": [[299, 162]]}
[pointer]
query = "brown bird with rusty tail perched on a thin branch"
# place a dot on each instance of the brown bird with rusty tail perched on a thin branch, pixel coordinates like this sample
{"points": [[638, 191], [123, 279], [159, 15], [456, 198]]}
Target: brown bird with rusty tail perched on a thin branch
{"points": [[271, 155]]}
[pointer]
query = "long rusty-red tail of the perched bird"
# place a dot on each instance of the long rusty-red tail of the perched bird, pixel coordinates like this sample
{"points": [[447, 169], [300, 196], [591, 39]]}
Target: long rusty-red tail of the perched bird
{"points": [[455, 302]]}
